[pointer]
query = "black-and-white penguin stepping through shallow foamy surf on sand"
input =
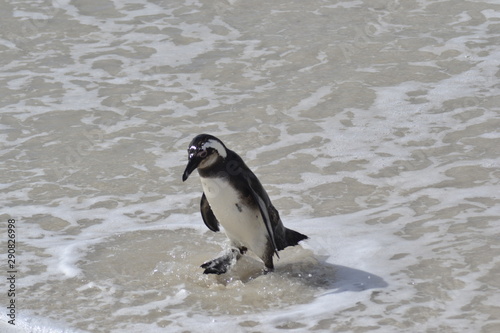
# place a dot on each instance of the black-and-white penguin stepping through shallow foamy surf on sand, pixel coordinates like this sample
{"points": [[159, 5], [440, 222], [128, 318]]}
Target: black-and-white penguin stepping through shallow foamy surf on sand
{"points": [[234, 198]]}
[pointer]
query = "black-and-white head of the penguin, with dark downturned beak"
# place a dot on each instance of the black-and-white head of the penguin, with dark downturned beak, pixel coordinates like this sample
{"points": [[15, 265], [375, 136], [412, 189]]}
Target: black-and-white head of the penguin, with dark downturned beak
{"points": [[204, 150]]}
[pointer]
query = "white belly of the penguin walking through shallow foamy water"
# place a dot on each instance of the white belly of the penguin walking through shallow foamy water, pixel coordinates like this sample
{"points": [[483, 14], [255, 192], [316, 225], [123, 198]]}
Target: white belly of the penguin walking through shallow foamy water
{"points": [[243, 225]]}
